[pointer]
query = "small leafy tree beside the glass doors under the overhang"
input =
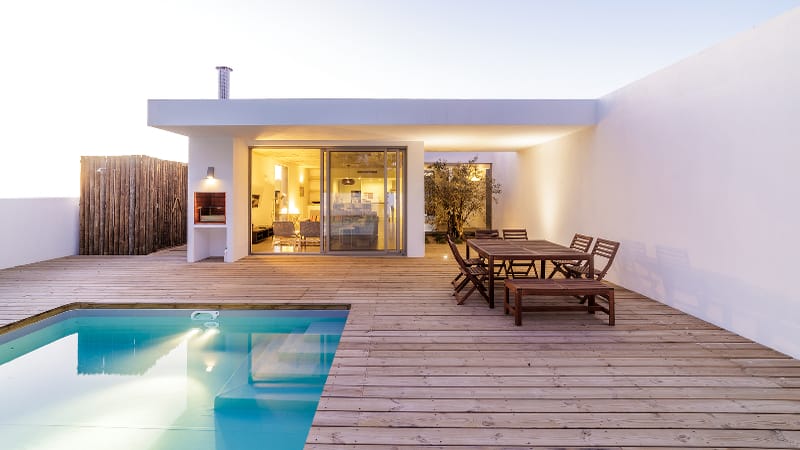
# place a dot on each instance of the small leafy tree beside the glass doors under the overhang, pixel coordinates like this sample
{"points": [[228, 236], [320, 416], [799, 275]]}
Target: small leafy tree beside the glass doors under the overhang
{"points": [[455, 192]]}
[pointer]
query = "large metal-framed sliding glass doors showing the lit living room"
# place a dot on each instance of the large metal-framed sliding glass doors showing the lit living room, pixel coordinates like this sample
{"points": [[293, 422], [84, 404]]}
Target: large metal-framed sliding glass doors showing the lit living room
{"points": [[327, 200]]}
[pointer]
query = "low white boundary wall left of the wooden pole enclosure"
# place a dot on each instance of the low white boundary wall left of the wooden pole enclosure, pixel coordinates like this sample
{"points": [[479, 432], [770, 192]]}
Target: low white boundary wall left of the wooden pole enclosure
{"points": [[37, 229]]}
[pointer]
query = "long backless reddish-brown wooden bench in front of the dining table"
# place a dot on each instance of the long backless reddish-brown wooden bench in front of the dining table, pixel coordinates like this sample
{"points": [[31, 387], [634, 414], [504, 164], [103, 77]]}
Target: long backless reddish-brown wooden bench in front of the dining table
{"points": [[571, 286]]}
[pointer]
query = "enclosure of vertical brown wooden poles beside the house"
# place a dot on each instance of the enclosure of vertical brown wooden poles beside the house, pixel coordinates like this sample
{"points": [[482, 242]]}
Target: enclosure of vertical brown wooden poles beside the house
{"points": [[131, 205]]}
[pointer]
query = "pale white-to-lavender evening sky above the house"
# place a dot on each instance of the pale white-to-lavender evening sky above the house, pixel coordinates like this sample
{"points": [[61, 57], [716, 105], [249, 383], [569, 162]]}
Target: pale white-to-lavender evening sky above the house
{"points": [[77, 74]]}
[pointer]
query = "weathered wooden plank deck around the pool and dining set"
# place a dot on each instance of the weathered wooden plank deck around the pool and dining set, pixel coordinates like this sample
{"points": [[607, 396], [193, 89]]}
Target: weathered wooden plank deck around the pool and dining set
{"points": [[414, 370]]}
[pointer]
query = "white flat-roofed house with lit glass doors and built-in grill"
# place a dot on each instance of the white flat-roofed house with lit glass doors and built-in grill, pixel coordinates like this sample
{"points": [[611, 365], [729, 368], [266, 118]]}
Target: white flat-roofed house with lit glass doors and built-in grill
{"points": [[351, 167]]}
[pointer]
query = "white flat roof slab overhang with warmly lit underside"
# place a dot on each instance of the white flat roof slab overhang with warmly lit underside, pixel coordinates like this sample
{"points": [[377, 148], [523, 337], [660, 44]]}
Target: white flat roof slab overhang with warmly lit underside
{"points": [[442, 124]]}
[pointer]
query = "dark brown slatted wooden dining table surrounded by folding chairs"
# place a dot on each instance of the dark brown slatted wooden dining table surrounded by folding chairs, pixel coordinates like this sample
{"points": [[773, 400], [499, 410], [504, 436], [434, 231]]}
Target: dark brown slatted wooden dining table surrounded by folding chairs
{"points": [[533, 250]]}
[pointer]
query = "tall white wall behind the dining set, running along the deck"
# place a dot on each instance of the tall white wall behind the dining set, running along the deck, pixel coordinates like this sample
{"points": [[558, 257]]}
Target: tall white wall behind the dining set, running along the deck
{"points": [[694, 170]]}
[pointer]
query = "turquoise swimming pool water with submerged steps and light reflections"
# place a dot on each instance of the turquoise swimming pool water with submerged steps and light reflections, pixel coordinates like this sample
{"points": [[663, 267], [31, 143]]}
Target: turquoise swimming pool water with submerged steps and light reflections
{"points": [[164, 380]]}
